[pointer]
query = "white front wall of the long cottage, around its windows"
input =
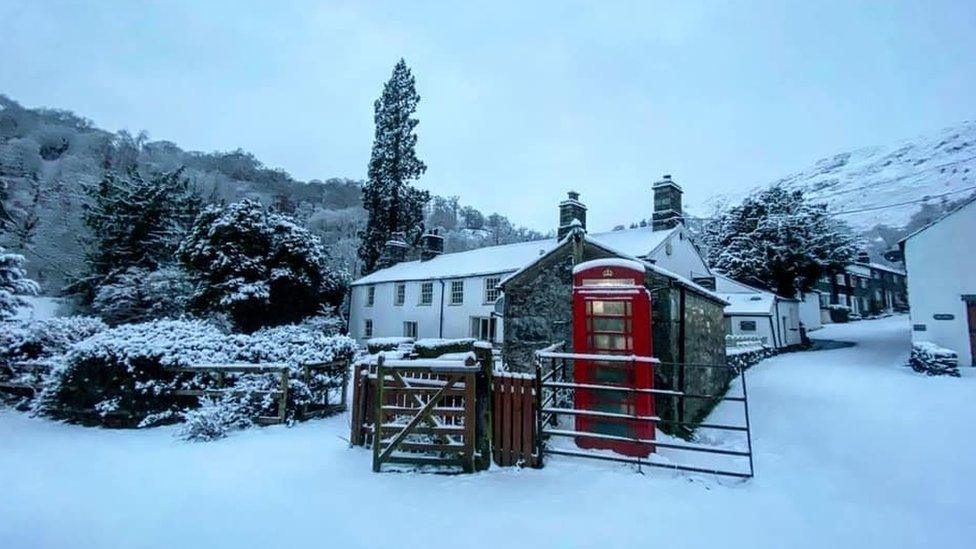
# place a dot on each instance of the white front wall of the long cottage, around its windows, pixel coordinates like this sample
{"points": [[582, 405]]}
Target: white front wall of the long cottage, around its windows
{"points": [[388, 318]]}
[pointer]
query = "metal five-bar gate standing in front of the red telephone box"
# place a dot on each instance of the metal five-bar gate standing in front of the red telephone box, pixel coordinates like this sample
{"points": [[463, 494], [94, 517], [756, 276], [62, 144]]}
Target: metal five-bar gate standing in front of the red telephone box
{"points": [[555, 399]]}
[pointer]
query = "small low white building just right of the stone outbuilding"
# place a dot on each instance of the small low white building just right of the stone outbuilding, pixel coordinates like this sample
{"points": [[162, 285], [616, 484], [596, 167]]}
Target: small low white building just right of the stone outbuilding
{"points": [[756, 312]]}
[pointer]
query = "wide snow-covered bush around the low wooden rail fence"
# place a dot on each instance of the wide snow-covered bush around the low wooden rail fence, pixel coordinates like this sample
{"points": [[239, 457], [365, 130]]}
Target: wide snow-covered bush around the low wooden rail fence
{"points": [[124, 376]]}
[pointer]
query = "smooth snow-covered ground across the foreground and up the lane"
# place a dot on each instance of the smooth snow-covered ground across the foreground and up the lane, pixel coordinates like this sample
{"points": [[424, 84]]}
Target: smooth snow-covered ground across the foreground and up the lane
{"points": [[852, 450]]}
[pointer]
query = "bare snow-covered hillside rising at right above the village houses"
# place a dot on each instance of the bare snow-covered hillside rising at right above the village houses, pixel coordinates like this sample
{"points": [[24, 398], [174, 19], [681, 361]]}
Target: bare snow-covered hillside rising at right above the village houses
{"points": [[860, 184]]}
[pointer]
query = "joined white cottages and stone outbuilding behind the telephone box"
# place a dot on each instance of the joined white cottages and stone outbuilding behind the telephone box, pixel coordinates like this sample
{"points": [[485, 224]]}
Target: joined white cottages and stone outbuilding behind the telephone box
{"points": [[517, 295]]}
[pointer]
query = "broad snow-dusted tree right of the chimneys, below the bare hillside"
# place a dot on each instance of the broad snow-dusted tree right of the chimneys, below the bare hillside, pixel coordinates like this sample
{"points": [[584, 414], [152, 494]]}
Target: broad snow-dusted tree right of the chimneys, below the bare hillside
{"points": [[778, 241]]}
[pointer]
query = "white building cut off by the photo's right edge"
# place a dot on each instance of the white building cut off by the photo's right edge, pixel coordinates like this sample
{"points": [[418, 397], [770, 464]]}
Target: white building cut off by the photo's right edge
{"points": [[941, 265]]}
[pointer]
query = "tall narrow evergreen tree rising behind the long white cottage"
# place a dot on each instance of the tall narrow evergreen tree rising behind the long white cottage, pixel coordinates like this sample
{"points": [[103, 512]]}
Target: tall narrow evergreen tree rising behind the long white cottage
{"points": [[391, 203]]}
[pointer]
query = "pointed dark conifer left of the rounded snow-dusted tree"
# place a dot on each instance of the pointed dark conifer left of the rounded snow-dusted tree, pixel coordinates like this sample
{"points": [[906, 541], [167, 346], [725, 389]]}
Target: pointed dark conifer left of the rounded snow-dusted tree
{"points": [[137, 221]]}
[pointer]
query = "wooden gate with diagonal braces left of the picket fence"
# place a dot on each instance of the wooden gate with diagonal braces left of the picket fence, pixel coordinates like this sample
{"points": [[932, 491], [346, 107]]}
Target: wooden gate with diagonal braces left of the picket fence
{"points": [[424, 413]]}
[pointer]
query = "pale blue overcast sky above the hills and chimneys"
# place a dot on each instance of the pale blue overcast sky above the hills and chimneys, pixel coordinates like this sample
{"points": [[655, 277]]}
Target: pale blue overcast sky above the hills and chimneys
{"points": [[519, 103]]}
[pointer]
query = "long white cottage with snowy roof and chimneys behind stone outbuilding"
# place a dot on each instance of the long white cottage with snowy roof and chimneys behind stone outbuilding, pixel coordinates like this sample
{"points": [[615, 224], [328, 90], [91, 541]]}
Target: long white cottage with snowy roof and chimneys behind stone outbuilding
{"points": [[454, 295]]}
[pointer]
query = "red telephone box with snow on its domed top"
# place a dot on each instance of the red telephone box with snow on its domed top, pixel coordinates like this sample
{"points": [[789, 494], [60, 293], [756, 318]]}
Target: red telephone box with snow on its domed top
{"points": [[612, 316]]}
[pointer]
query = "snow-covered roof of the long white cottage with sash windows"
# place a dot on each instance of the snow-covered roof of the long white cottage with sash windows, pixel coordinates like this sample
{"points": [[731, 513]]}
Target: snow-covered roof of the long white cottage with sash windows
{"points": [[508, 258]]}
